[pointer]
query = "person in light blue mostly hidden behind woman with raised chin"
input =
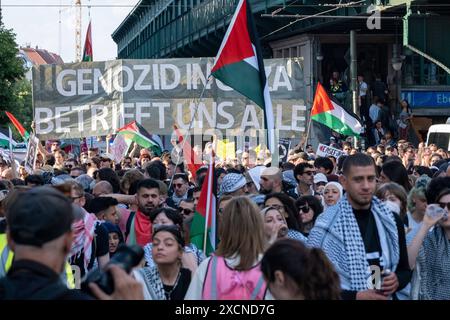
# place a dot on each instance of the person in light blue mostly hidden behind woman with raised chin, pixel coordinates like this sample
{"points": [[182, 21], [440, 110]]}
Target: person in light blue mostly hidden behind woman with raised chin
{"points": [[191, 257]]}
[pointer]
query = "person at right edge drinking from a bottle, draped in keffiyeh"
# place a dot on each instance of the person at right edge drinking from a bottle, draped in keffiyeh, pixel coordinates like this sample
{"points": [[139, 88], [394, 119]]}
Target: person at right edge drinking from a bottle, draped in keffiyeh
{"points": [[429, 254]]}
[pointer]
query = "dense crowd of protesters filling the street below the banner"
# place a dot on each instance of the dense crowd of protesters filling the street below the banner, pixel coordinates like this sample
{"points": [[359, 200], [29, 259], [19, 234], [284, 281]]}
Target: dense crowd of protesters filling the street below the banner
{"points": [[310, 228]]}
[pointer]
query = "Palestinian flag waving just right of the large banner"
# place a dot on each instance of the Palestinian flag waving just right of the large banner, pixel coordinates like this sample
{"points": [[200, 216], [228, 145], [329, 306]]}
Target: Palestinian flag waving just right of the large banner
{"points": [[329, 113]]}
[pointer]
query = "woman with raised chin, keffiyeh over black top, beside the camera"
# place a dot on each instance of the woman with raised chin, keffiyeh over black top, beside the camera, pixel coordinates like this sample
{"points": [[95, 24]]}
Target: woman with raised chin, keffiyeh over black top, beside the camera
{"points": [[167, 279]]}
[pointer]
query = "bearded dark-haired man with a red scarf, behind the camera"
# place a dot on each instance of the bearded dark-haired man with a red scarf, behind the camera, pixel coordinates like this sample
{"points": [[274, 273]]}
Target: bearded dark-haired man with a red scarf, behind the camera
{"points": [[139, 227]]}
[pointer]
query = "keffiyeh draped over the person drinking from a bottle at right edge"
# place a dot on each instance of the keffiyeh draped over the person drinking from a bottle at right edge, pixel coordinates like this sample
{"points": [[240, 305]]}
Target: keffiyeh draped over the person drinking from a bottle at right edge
{"points": [[431, 279]]}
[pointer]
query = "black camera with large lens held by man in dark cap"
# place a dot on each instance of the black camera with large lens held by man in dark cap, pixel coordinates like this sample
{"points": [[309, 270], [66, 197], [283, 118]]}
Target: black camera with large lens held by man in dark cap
{"points": [[126, 257]]}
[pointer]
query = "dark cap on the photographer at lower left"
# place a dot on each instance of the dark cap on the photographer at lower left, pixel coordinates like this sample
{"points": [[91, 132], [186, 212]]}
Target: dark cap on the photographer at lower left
{"points": [[39, 215]]}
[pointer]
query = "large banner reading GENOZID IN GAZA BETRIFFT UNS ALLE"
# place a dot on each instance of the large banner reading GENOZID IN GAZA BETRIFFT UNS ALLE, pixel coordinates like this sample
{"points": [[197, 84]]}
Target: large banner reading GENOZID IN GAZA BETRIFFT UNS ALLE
{"points": [[97, 98]]}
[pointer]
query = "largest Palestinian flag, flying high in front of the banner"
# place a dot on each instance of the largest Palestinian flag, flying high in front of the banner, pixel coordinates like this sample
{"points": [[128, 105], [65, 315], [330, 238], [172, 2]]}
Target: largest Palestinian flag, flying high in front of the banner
{"points": [[239, 64]]}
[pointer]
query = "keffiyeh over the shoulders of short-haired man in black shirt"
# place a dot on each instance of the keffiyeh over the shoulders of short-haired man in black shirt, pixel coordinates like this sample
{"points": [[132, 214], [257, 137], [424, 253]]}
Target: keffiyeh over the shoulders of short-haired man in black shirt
{"points": [[336, 231]]}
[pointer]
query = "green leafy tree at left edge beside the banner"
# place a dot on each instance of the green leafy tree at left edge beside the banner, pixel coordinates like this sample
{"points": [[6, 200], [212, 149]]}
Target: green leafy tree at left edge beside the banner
{"points": [[15, 90]]}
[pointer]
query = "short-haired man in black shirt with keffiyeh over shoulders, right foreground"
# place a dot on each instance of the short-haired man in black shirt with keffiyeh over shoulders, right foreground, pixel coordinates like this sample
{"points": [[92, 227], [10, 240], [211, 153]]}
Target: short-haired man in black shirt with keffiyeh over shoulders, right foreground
{"points": [[363, 239]]}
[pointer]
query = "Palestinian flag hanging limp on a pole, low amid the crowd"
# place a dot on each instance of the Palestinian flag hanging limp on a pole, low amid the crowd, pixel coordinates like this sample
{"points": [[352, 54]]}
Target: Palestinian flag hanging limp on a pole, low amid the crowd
{"points": [[203, 225]]}
